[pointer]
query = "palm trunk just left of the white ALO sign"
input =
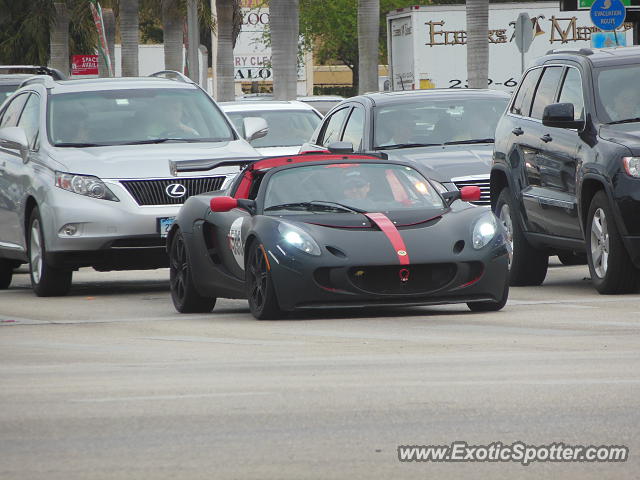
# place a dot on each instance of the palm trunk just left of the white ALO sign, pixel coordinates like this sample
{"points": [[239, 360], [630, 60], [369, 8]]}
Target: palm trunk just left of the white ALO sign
{"points": [[224, 67]]}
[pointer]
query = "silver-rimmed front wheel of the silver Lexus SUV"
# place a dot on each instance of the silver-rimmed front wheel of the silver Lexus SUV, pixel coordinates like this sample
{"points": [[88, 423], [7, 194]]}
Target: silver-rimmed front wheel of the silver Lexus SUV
{"points": [[46, 281]]}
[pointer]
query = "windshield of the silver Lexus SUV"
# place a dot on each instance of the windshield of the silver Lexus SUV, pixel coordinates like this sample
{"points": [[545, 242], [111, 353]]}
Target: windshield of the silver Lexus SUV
{"points": [[129, 116]]}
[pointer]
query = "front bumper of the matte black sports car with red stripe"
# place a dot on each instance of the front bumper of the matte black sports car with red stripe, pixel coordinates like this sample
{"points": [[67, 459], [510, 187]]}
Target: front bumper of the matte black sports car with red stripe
{"points": [[313, 284]]}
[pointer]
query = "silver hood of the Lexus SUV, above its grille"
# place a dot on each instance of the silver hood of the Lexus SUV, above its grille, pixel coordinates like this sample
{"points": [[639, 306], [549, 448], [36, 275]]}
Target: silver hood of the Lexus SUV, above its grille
{"points": [[146, 161]]}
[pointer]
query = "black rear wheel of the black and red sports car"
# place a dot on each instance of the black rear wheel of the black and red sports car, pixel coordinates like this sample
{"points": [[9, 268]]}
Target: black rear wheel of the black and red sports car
{"points": [[184, 295]]}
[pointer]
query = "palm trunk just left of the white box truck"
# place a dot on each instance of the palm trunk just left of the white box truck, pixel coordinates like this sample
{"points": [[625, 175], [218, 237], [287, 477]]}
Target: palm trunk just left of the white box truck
{"points": [[368, 34]]}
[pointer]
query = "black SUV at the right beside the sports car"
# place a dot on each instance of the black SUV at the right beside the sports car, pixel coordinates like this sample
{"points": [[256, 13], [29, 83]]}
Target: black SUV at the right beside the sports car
{"points": [[565, 178]]}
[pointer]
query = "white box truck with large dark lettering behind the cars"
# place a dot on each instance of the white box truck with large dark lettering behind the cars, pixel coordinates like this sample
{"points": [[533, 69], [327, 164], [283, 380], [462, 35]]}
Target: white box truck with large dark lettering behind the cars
{"points": [[427, 45]]}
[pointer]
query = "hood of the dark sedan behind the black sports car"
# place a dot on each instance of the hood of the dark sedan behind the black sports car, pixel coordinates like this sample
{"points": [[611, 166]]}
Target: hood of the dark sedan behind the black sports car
{"points": [[442, 163]]}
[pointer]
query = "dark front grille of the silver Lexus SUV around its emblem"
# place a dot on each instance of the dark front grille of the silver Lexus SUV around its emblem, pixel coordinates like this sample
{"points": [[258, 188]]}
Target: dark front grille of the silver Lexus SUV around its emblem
{"points": [[154, 192]]}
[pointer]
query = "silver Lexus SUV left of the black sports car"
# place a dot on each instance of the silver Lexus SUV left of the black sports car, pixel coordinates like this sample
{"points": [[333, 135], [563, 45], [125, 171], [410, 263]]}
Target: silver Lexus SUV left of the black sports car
{"points": [[86, 176]]}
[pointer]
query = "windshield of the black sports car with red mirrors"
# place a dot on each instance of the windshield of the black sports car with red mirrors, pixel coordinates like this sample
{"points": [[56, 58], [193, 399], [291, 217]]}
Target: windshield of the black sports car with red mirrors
{"points": [[349, 188]]}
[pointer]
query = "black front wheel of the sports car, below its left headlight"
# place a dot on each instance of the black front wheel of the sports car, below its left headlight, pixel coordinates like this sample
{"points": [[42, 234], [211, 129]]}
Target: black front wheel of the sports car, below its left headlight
{"points": [[260, 291]]}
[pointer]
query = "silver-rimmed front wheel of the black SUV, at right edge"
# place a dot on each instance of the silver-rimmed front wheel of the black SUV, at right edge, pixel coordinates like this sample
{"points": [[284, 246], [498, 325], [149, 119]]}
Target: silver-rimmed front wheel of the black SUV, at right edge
{"points": [[609, 263]]}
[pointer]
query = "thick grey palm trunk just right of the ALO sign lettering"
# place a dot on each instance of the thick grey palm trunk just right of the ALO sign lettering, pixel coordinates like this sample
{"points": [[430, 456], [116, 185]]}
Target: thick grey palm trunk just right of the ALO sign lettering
{"points": [[284, 20]]}
